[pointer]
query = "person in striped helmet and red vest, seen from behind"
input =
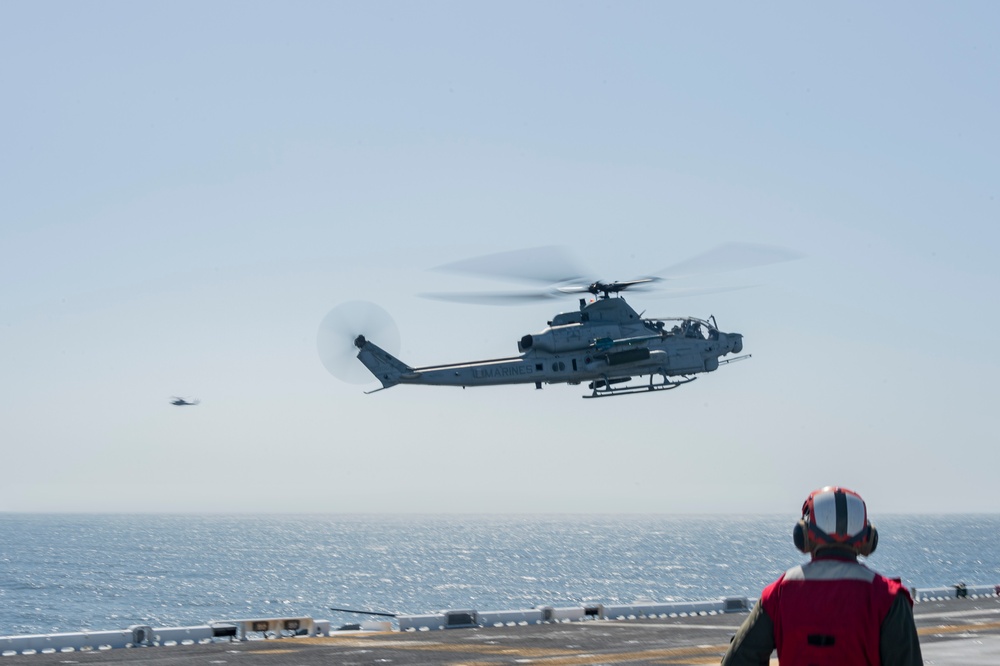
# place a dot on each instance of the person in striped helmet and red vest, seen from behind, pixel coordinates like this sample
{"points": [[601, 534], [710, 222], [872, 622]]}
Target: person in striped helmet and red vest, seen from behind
{"points": [[833, 610]]}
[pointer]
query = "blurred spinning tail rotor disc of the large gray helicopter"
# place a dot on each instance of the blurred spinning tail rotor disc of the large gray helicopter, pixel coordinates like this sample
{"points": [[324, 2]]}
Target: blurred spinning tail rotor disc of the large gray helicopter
{"points": [[341, 326]]}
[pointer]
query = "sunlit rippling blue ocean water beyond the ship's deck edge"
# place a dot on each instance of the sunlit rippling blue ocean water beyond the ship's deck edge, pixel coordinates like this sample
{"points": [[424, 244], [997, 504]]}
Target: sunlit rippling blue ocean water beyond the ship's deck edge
{"points": [[95, 572]]}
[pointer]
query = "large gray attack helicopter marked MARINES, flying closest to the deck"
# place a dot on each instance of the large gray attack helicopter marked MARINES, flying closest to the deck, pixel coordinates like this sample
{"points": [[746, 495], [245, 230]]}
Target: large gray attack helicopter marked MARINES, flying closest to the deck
{"points": [[605, 344]]}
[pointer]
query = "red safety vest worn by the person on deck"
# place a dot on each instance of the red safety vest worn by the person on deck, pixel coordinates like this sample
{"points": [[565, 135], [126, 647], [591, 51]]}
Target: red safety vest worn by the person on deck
{"points": [[829, 612]]}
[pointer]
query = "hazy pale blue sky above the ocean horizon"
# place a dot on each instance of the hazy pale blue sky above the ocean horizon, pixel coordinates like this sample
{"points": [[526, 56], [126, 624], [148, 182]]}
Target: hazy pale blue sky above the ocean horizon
{"points": [[188, 188]]}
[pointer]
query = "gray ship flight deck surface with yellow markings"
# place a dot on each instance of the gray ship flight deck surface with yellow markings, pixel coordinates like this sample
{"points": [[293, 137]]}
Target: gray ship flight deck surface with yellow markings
{"points": [[965, 632]]}
